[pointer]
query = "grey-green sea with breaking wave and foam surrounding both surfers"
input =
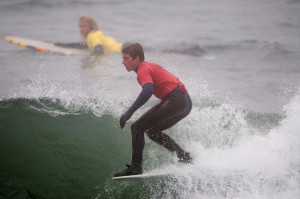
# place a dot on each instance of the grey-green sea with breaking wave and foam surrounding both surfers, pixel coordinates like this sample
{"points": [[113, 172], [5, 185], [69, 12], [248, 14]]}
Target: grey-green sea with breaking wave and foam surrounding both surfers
{"points": [[59, 115]]}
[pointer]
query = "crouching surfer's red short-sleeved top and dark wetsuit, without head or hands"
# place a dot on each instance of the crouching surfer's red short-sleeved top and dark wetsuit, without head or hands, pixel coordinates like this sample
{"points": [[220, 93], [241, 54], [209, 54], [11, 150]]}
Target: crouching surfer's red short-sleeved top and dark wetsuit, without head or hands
{"points": [[175, 105]]}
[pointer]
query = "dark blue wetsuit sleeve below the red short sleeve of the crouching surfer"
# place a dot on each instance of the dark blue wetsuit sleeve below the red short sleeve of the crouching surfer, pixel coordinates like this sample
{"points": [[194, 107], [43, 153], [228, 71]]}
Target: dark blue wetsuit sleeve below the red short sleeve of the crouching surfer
{"points": [[143, 97]]}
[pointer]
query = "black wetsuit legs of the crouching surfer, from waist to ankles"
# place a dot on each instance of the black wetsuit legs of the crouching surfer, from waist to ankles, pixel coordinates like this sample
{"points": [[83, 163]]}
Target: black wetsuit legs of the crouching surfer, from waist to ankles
{"points": [[174, 107]]}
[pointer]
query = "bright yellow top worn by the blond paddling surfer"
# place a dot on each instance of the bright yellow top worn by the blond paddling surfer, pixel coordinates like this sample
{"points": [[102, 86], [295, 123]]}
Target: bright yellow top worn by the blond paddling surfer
{"points": [[97, 37]]}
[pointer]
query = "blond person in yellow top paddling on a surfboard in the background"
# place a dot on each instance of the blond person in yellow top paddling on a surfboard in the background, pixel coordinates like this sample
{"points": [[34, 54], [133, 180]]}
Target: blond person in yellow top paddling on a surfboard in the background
{"points": [[95, 40]]}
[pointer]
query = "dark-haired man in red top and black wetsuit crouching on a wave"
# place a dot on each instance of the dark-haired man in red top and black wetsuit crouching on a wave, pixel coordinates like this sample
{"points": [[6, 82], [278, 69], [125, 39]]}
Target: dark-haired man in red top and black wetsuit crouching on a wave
{"points": [[175, 105]]}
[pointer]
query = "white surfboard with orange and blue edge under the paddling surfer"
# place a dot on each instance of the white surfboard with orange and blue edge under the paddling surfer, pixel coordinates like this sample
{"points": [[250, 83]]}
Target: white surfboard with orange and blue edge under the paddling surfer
{"points": [[43, 46]]}
